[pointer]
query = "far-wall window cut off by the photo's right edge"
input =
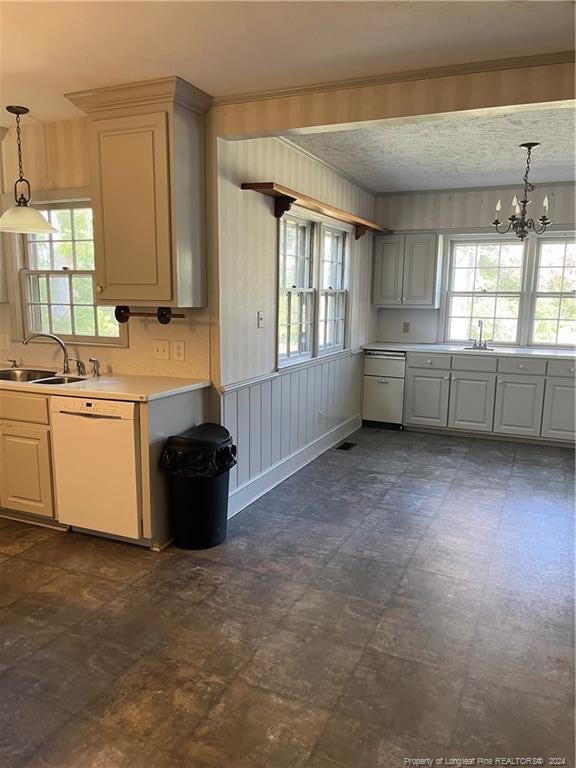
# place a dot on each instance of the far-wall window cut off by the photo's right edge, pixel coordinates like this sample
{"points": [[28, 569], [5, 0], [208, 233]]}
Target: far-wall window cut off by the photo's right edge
{"points": [[554, 317]]}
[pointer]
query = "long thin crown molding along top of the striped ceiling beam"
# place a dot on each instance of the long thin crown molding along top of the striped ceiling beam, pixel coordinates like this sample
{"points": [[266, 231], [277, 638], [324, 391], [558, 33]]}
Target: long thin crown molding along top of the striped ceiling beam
{"points": [[494, 65]]}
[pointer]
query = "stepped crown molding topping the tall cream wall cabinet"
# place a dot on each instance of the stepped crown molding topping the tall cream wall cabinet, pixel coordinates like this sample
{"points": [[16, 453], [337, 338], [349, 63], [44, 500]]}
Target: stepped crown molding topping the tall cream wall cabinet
{"points": [[173, 89]]}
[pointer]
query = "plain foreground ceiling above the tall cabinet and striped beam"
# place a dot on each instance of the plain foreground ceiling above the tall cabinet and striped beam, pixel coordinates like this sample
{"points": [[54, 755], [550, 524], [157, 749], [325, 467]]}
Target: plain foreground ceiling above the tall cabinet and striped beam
{"points": [[228, 48]]}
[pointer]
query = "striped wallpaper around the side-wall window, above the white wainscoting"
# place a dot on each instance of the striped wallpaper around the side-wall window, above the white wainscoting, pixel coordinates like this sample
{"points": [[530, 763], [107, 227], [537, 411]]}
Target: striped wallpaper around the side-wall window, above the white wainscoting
{"points": [[247, 236]]}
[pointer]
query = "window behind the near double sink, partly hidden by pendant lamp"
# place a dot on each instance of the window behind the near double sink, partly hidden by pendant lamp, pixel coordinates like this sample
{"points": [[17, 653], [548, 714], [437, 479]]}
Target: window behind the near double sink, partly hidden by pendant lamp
{"points": [[58, 280]]}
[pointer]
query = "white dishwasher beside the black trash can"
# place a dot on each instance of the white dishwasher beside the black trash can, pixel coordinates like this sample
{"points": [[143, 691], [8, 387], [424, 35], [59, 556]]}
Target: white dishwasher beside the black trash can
{"points": [[96, 467]]}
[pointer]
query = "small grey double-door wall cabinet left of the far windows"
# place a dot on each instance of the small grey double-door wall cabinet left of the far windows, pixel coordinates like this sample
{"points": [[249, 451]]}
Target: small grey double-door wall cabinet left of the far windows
{"points": [[407, 270]]}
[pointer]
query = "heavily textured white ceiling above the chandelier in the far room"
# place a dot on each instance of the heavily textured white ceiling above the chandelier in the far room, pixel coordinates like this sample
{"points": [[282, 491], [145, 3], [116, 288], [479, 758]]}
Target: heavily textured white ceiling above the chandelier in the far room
{"points": [[449, 152]]}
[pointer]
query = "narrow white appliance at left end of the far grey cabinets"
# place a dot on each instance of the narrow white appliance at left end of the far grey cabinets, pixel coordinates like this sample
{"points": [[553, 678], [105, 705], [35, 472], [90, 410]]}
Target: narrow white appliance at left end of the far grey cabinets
{"points": [[384, 386]]}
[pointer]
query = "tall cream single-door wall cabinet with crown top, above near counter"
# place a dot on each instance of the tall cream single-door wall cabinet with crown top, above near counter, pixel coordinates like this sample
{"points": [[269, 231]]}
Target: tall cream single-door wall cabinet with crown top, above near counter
{"points": [[146, 143]]}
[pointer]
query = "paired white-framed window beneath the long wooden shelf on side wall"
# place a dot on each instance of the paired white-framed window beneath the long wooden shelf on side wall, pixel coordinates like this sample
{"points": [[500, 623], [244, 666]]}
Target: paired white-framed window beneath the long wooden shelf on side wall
{"points": [[312, 300]]}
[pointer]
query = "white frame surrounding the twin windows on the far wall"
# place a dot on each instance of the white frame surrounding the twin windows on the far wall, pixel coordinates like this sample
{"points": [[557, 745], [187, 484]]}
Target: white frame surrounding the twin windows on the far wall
{"points": [[528, 283]]}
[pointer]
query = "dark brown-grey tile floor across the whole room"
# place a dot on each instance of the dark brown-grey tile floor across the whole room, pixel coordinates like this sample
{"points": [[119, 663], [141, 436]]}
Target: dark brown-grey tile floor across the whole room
{"points": [[412, 597]]}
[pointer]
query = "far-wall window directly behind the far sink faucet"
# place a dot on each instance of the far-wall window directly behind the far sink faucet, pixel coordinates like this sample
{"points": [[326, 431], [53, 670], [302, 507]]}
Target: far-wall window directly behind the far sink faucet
{"points": [[485, 283]]}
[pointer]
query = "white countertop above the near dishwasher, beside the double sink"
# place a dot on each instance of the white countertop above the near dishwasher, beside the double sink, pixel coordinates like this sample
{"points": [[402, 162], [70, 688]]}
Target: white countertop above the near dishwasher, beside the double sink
{"points": [[112, 387]]}
